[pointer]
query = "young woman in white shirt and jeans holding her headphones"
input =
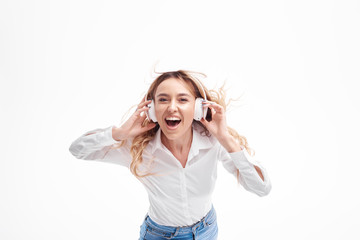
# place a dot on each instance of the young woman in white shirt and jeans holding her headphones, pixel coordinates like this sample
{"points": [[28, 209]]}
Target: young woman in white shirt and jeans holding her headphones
{"points": [[172, 144]]}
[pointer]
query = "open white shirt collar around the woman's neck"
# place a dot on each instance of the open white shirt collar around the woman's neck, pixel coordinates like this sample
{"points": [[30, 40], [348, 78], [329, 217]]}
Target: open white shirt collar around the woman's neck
{"points": [[200, 141]]}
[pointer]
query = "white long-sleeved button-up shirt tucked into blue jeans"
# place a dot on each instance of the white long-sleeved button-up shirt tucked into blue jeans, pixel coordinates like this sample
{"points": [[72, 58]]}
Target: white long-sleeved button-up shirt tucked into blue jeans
{"points": [[178, 196]]}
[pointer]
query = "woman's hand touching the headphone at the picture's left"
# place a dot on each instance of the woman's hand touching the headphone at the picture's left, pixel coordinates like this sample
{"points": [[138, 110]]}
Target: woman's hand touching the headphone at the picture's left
{"points": [[133, 126]]}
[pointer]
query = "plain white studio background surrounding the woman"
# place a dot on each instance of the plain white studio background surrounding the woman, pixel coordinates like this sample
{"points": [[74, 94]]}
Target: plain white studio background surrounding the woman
{"points": [[67, 67]]}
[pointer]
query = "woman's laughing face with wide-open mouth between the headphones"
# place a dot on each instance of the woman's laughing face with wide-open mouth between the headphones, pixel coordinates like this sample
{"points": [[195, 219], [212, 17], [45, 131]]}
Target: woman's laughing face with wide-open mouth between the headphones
{"points": [[174, 108]]}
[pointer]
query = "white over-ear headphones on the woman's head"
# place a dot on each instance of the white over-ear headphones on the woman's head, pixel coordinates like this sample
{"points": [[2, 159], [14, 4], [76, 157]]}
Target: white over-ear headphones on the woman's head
{"points": [[199, 112]]}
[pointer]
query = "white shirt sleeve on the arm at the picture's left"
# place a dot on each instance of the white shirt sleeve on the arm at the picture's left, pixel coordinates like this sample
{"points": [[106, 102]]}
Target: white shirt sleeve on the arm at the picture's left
{"points": [[98, 145]]}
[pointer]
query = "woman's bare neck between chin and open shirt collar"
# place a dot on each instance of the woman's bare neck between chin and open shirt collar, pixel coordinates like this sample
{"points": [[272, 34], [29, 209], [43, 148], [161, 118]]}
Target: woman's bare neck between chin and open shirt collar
{"points": [[178, 145]]}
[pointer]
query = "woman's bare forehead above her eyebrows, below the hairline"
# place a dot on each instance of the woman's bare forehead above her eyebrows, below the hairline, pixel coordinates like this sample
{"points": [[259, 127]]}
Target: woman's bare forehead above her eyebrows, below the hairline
{"points": [[174, 86]]}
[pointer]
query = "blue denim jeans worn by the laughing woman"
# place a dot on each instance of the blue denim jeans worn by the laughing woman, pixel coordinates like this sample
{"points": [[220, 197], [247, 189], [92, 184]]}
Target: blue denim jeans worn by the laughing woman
{"points": [[205, 229]]}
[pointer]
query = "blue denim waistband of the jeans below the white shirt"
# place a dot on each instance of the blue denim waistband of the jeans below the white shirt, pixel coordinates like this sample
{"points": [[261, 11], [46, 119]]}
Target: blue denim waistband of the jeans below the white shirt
{"points": [[208, 219]]}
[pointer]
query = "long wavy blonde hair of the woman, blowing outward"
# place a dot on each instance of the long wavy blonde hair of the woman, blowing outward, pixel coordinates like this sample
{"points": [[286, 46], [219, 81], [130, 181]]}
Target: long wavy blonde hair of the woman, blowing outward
{"points": [[141, 141]]}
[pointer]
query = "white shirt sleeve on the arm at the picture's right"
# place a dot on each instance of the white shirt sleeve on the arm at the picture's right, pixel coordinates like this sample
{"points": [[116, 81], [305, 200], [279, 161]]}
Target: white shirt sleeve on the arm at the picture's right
{"points": [[249, 177]]}
